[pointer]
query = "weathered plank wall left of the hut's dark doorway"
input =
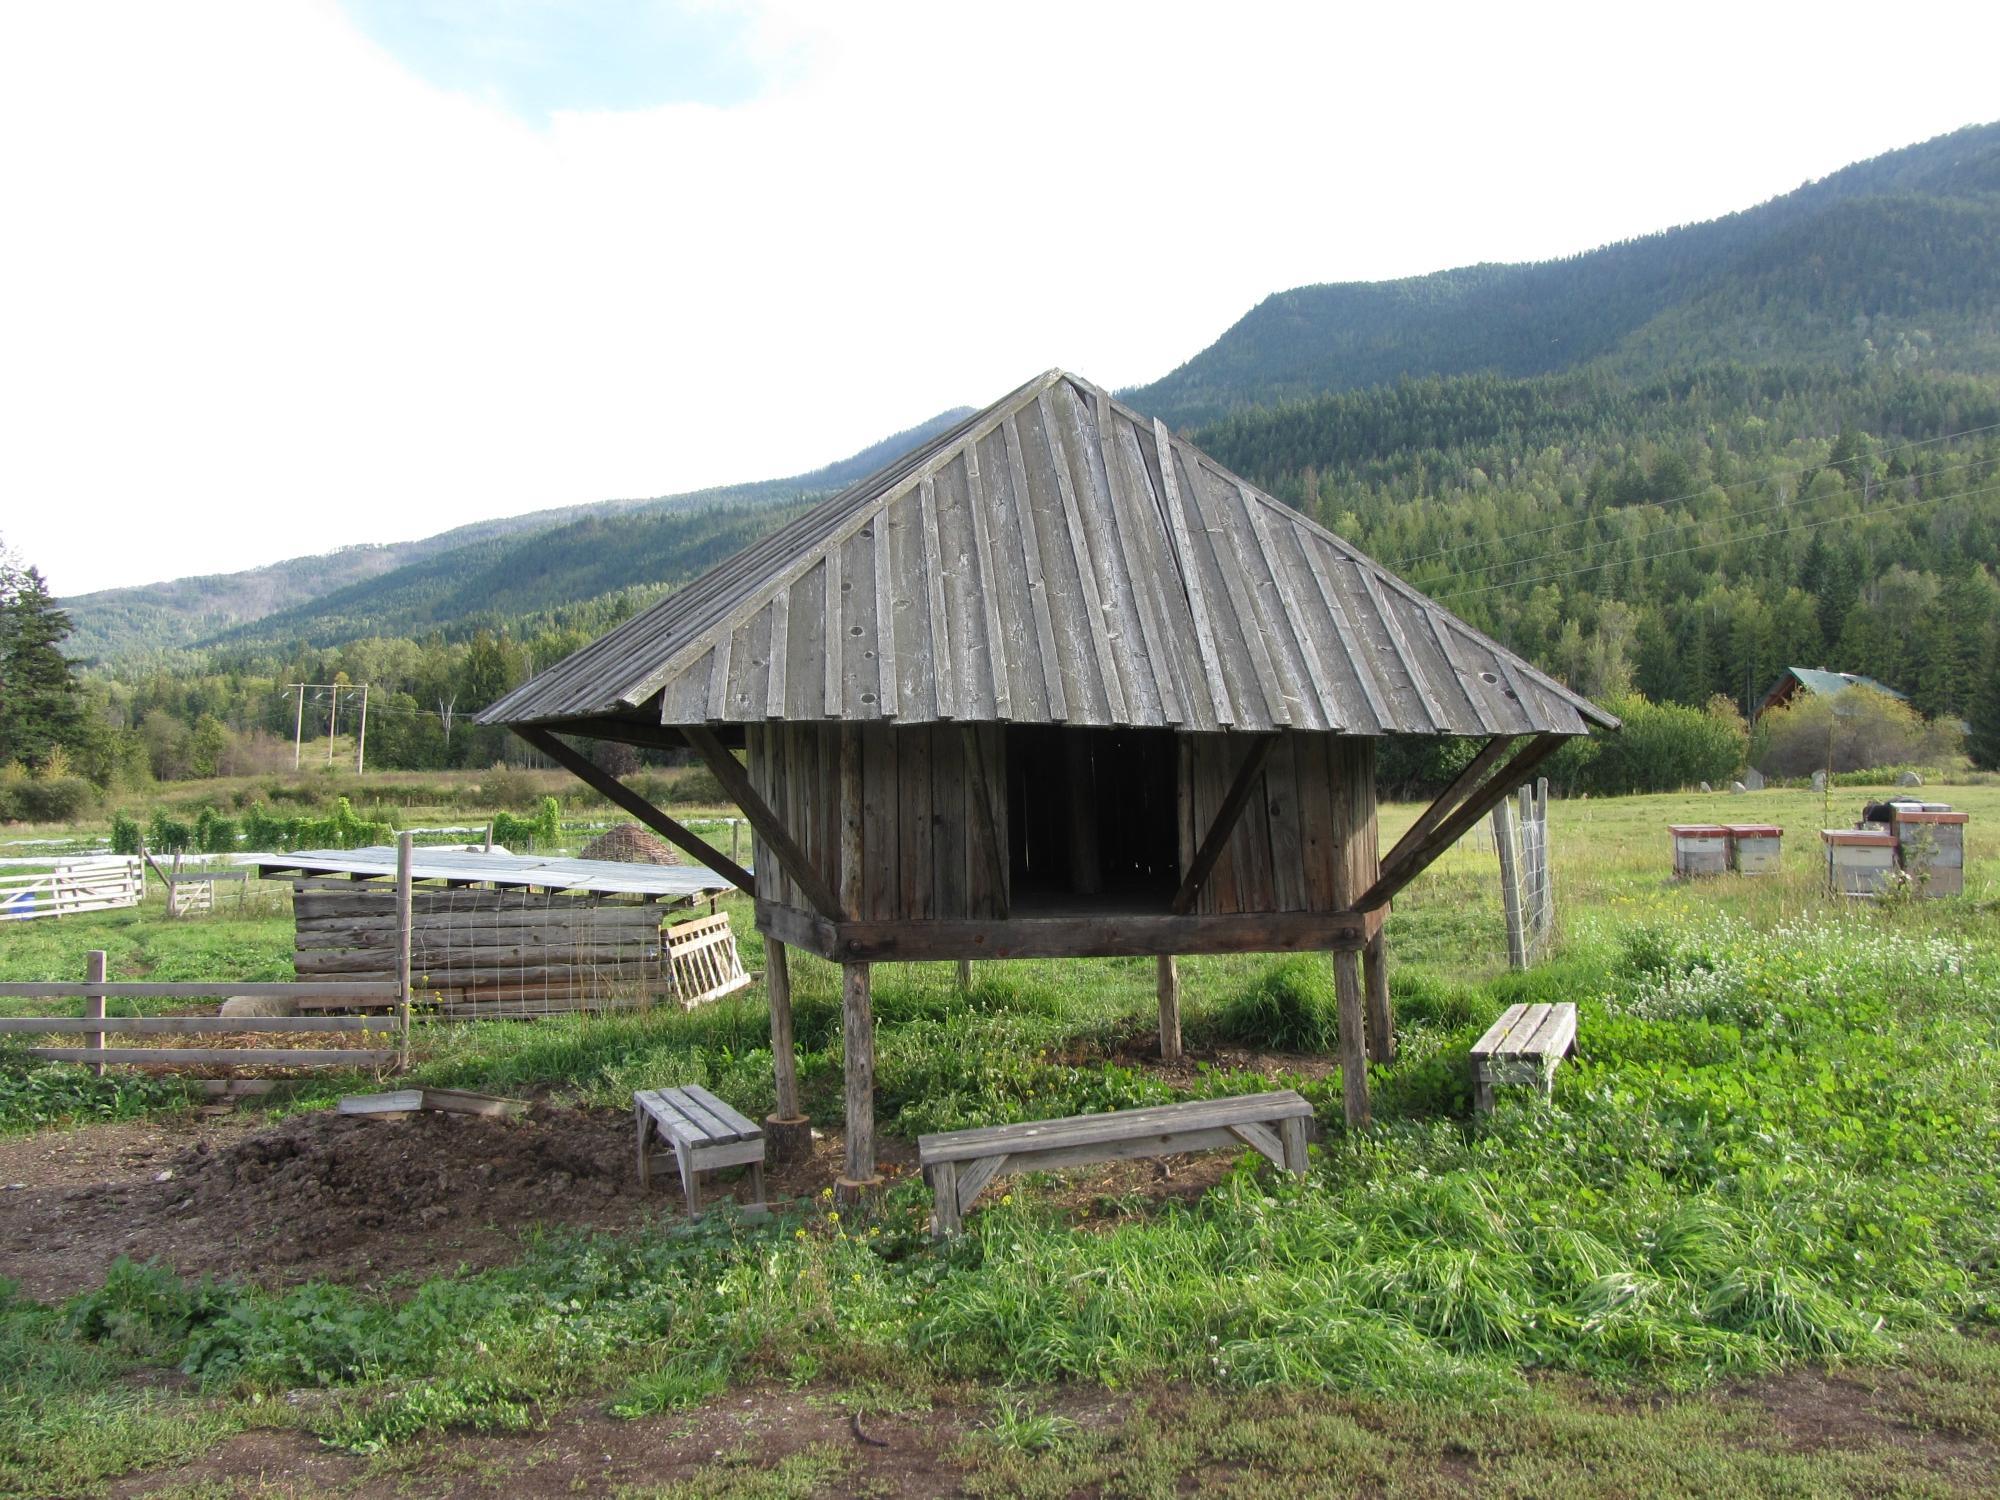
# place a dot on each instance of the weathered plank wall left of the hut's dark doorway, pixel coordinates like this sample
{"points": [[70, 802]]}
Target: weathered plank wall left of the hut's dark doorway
{"points": [[935, 843]]}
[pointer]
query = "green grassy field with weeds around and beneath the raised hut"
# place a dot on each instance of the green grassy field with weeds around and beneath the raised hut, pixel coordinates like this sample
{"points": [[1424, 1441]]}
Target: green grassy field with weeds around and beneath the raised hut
{"points": [[1749, 1245]]}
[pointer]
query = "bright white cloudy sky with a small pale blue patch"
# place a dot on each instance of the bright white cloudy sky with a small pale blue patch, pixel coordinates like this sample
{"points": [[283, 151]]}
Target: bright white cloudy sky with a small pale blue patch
{"points": [[291, 275]]}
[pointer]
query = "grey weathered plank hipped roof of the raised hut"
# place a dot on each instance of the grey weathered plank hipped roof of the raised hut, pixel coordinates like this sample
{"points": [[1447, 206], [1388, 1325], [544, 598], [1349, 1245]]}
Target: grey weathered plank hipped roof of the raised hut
{"points": [[1057, 559]]}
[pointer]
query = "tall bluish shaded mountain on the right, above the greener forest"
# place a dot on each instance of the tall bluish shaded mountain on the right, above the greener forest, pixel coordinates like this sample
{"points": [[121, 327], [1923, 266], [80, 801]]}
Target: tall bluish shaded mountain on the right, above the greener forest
{"points": [[1883, 263]]}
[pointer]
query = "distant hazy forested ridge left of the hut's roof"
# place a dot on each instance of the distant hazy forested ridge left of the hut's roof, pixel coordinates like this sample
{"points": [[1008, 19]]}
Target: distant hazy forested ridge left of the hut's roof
{"points": [[407, 587]]}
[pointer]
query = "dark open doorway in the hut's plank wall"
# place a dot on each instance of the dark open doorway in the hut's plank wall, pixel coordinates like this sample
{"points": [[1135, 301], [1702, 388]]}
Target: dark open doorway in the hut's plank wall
{"points": [[1093, 817]]}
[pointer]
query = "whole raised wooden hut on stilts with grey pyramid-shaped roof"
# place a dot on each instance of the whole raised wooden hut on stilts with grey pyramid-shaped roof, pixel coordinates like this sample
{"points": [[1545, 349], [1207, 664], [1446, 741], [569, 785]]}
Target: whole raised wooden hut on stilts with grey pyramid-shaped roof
{"points": [[1057, 685]]}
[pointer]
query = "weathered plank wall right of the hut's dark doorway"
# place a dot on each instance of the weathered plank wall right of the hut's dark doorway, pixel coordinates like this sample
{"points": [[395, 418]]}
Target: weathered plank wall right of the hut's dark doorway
{"points": [[1307, 843]]}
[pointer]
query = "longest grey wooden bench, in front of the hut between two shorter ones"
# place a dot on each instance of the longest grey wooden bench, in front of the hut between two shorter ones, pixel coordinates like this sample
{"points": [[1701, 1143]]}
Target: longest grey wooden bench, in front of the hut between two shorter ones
{"points": [[961, 1163]]}
